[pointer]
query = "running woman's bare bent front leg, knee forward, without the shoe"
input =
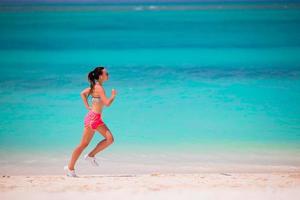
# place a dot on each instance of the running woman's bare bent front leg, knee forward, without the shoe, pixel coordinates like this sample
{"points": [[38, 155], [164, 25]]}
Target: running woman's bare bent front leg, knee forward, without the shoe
{"points": [[109, 139]]}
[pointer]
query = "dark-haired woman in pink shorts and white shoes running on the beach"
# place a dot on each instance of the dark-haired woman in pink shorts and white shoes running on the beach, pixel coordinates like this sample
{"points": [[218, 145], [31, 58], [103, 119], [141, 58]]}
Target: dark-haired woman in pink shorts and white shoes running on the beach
{"points": [[93, 121]]}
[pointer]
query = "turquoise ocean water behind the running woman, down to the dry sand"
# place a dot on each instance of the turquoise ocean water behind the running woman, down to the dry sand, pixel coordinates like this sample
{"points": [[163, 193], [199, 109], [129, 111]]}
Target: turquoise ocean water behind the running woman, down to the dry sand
{"points": [[195, 86]]}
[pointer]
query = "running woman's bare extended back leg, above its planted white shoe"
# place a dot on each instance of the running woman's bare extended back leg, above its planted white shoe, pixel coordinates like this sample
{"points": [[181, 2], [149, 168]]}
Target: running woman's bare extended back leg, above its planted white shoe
{"points": [[88, 134]]}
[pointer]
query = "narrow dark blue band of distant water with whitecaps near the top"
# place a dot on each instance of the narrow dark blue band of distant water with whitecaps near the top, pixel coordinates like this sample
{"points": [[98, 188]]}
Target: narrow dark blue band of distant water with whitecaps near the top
{"points": [[55, 6]]}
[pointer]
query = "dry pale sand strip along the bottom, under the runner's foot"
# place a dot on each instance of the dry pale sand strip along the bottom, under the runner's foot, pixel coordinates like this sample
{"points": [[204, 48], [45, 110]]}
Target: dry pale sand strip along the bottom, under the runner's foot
{"points": [[254, 185]]}
